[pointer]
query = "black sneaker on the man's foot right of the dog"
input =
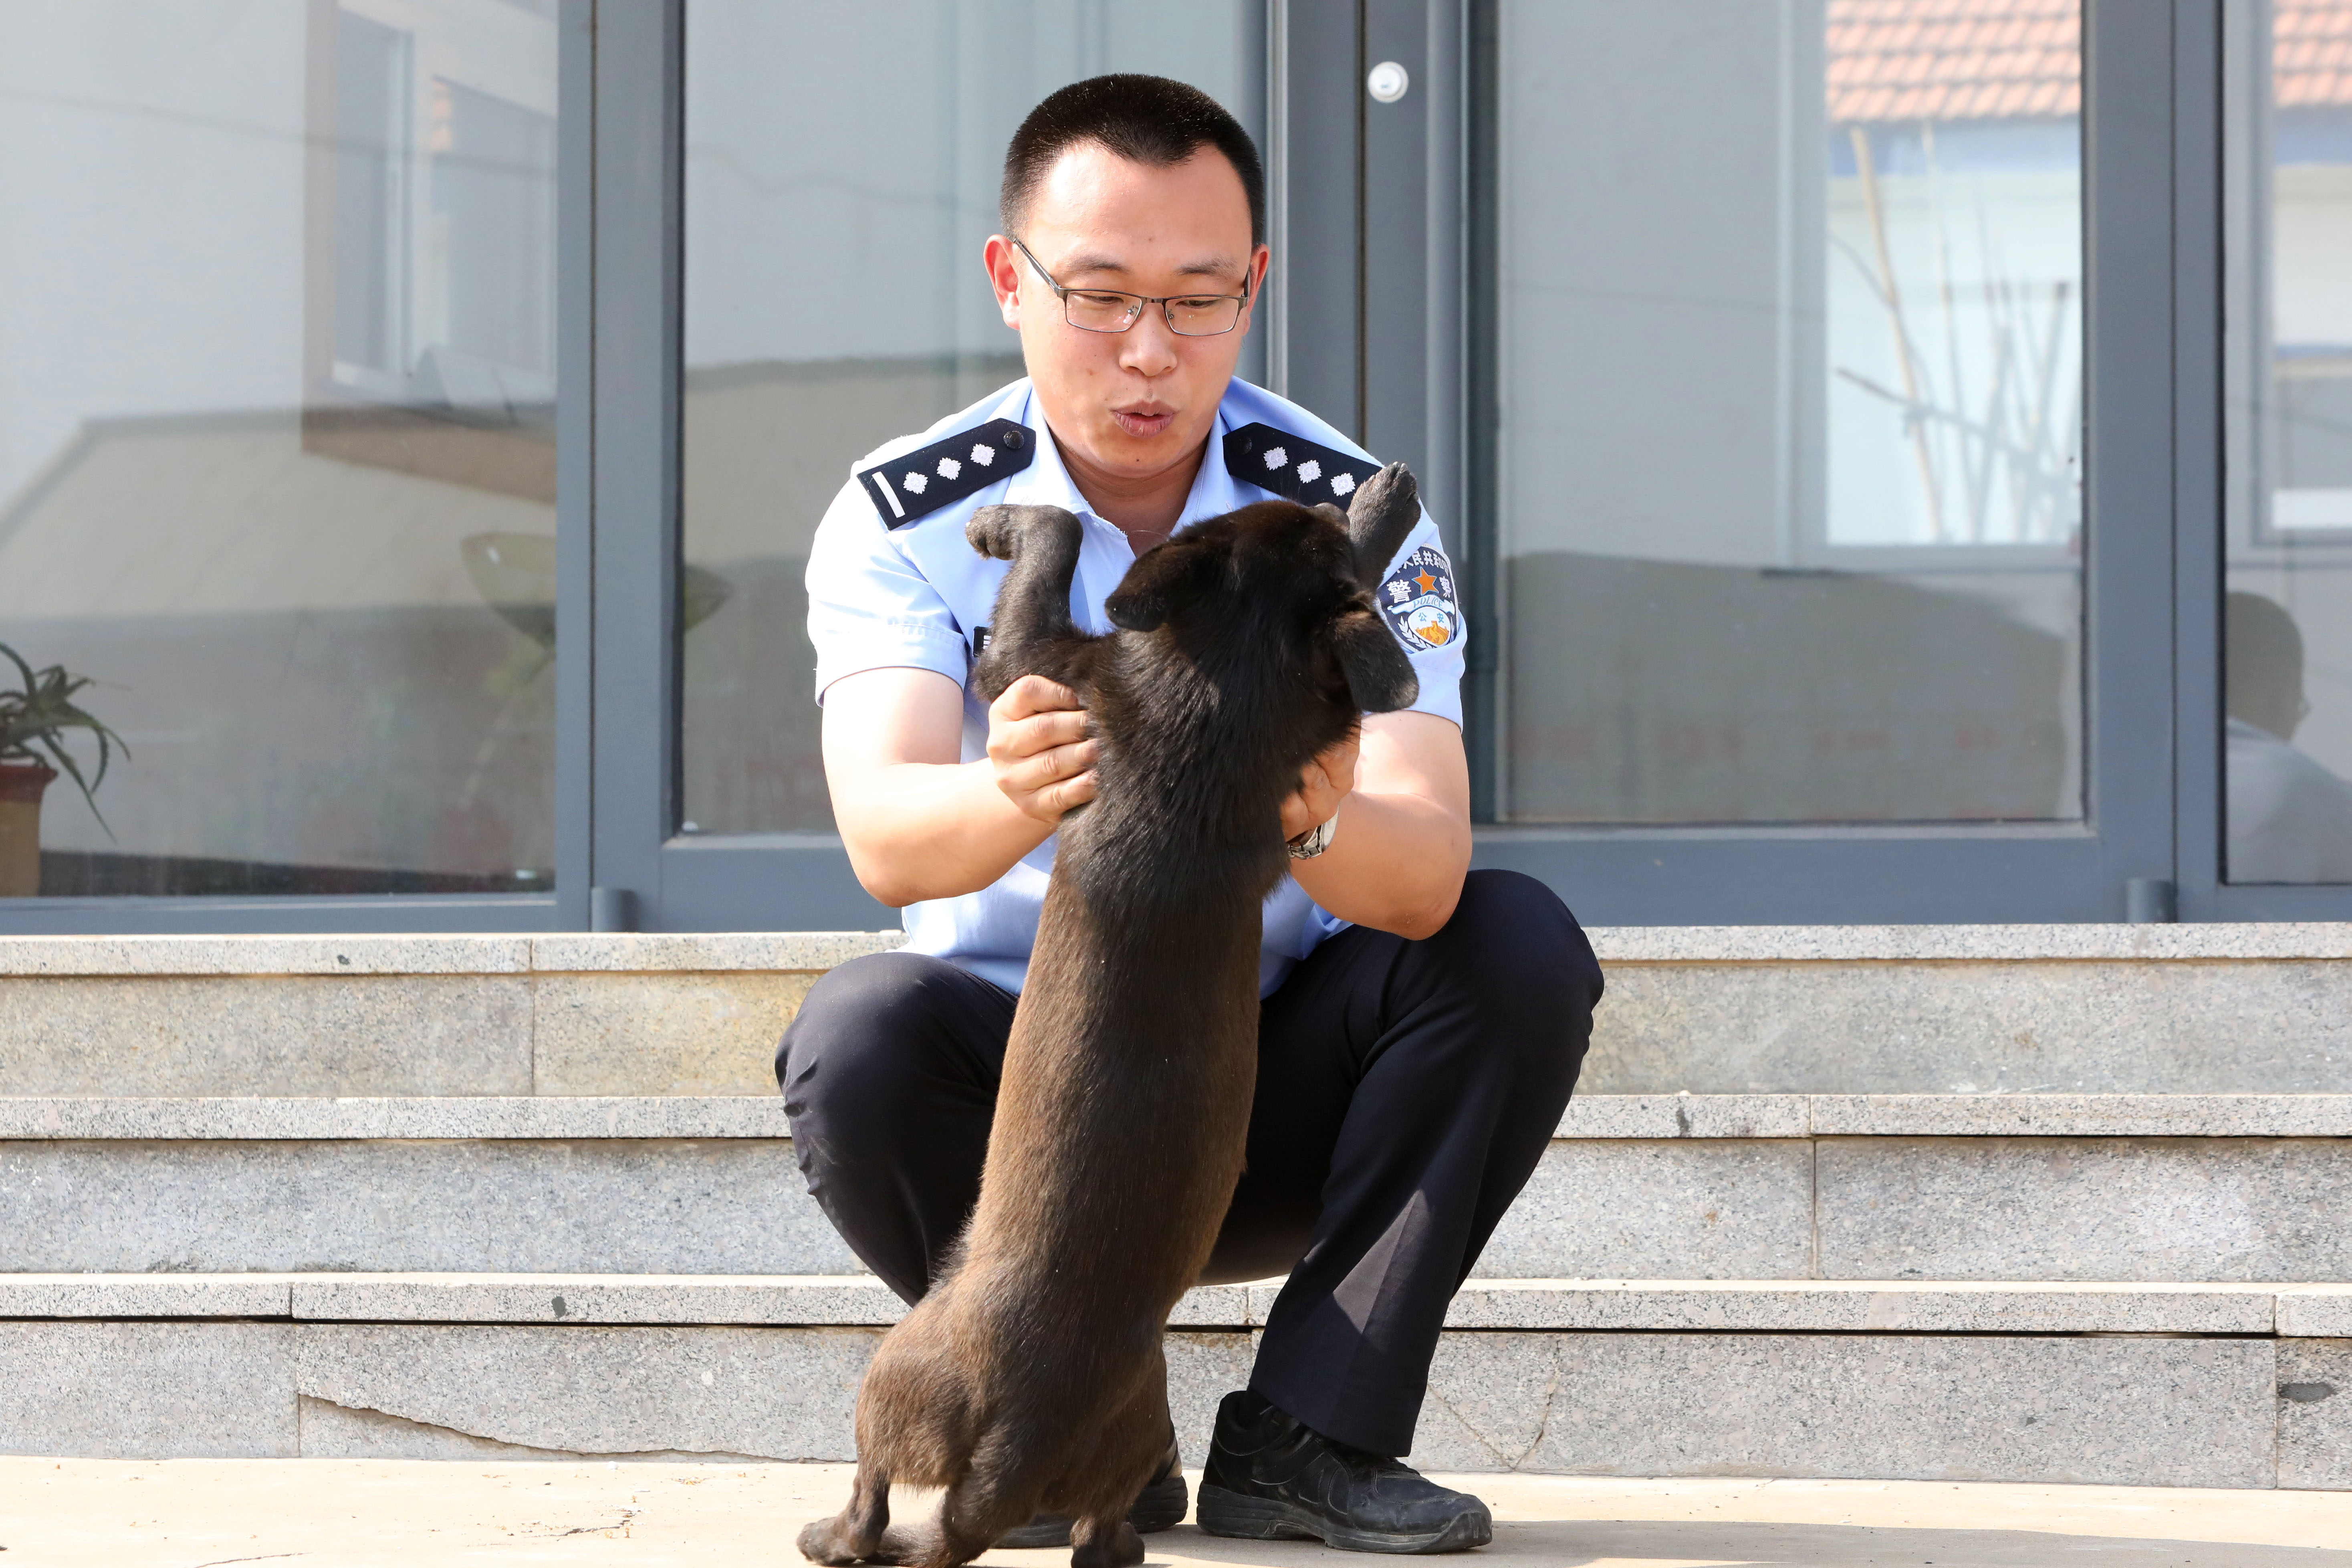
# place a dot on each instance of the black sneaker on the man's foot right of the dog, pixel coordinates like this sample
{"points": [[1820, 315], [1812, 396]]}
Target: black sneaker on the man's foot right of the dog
{"points": [[1274, 1477]]}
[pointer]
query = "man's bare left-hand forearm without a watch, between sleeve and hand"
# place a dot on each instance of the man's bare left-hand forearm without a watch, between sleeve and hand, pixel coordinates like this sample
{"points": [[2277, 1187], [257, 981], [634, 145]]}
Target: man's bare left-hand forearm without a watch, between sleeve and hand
{"points": [[935, 831]]}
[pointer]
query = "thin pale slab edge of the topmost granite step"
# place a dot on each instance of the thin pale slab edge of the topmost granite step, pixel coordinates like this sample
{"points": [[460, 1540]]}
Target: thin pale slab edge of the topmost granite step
{"points": [[820, 951]]}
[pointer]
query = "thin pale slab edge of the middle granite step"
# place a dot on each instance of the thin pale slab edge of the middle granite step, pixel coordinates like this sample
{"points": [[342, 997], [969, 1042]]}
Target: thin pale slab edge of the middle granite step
{"points": [[1601, 1118]]}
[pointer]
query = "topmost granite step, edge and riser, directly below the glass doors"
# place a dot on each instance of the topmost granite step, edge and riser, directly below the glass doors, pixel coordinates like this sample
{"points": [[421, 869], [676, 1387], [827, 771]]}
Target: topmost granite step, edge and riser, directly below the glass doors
{"points": [[1709, 1010]]}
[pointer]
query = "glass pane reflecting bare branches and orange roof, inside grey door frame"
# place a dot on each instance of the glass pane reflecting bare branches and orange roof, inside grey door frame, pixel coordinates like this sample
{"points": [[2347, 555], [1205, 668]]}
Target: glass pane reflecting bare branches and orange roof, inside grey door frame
{"points": [[1791, 410]]}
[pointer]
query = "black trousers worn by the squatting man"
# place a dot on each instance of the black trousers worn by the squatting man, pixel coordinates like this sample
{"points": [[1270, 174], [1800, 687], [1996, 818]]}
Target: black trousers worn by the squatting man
{"points": [[1405, 1094]]}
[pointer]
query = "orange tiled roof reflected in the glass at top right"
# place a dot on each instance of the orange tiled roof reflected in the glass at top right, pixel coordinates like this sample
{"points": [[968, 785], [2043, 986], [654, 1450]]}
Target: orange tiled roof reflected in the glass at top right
{"points": [[2000, 60]]}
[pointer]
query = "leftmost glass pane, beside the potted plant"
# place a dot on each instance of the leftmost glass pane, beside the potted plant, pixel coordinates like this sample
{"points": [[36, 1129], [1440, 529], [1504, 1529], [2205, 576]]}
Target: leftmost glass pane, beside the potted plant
{"points": [[279, 443]]}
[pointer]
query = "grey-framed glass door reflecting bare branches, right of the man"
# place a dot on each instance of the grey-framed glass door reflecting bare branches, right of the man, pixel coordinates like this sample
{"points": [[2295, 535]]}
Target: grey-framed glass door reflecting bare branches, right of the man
{"points": [[1822, 570]]}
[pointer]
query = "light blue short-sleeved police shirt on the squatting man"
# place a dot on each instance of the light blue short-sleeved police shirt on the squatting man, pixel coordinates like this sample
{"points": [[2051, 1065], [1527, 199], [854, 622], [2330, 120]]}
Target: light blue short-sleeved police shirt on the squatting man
{"points": [[911, 596]]}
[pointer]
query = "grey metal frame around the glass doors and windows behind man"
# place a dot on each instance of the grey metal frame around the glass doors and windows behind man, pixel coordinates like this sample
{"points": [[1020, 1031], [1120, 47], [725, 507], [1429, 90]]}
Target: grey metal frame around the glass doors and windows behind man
{"points": [[1398, 337]]}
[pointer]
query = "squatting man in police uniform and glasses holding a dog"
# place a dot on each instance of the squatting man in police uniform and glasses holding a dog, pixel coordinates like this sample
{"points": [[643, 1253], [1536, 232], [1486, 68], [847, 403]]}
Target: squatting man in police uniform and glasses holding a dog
{"points": [[1422, 1024]]}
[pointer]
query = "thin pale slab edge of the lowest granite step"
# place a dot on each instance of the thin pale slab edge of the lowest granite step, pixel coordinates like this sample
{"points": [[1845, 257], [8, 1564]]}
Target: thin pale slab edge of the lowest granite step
{"points": [[824, 1301]]}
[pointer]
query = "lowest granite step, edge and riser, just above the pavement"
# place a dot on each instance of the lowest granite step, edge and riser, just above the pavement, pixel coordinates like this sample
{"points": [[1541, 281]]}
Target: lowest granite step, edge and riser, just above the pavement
{"points": [[2123, 1383]]}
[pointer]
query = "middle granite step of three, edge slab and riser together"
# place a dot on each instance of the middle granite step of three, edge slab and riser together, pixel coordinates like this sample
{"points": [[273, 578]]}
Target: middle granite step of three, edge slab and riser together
{"points": [[1991, 1188]]}
